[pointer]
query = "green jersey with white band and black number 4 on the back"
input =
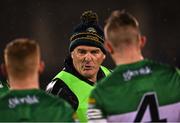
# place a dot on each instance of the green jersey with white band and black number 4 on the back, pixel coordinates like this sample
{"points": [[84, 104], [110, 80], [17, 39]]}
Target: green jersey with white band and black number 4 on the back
{"points": [[144, 91]]}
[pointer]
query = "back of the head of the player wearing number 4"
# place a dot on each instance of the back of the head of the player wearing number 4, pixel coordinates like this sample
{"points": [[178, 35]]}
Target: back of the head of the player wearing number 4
{"points": [[122, 34]]}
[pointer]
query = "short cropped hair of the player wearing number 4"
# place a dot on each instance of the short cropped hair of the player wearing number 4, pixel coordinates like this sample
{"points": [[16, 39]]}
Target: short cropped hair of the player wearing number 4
{"points": [[121, 20]]}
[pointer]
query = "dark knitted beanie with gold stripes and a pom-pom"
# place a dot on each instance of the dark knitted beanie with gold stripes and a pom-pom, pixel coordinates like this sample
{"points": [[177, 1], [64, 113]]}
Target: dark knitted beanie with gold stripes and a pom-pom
{"points": [[88, 32]]}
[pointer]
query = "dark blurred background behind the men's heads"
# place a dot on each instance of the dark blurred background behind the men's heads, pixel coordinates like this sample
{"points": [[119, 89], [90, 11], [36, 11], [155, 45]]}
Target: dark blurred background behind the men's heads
{"points": [[50, 22]]}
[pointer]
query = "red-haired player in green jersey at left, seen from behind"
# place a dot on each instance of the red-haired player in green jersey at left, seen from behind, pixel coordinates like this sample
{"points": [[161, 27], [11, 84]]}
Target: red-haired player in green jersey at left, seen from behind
{"points": [[25, 102]]}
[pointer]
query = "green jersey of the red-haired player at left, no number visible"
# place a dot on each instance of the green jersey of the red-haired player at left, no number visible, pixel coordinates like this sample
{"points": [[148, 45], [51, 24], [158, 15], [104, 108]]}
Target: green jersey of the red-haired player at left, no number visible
{"points": [[33, 105]]}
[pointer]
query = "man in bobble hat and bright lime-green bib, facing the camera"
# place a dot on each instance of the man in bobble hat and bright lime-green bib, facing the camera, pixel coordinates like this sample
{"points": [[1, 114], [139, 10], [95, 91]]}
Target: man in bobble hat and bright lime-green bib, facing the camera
{"points": [[82, 67]]}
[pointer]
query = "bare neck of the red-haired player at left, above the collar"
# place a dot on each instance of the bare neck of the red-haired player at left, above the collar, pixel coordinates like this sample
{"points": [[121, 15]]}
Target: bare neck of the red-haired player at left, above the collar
{"points": [[30, 82]]}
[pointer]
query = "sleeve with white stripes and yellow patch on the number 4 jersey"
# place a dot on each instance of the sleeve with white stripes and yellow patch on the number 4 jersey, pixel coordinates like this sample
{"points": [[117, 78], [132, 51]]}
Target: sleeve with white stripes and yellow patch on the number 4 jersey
{"points": [[95, 112]]}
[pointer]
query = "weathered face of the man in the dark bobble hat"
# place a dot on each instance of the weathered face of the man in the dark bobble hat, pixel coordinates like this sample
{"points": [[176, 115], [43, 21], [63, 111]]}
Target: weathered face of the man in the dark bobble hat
{"points": [[87, 60]]}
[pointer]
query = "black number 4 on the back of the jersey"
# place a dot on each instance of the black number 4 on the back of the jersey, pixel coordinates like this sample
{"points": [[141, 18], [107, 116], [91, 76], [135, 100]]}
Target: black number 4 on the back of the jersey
{"points": [[149, 99]]}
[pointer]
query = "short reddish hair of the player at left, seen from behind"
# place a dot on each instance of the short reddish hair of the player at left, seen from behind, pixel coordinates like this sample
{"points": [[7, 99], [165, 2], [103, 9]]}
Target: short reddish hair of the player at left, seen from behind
{"points": [[21, 57]]}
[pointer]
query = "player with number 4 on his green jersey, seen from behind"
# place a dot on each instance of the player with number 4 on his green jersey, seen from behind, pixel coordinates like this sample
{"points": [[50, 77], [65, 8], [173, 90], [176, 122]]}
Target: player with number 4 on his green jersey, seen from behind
{"points": [[138, 90]]}
